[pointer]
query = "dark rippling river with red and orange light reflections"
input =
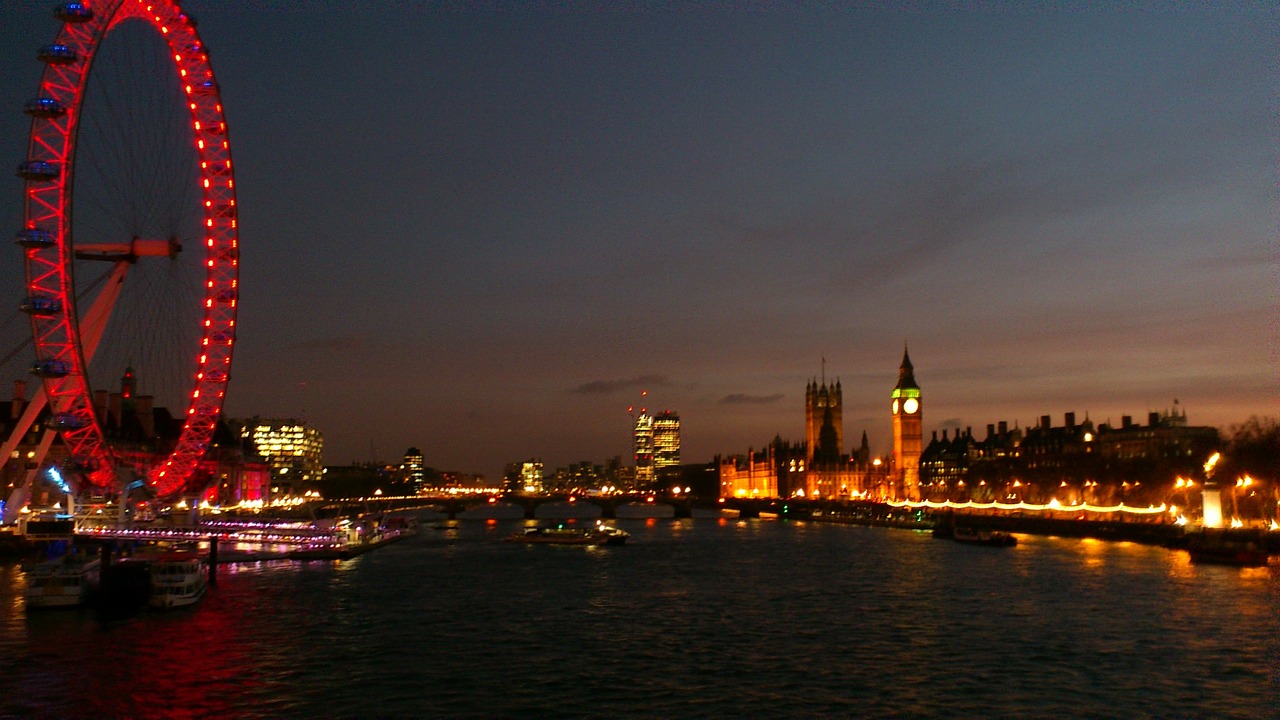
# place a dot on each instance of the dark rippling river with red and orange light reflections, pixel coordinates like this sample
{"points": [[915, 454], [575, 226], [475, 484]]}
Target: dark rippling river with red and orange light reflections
{"points": [[692, 619]]}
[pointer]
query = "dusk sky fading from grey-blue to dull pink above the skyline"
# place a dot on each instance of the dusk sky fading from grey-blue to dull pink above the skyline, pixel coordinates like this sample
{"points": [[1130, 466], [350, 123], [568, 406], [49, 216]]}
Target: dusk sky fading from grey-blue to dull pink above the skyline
{"points": [[483, 230]]}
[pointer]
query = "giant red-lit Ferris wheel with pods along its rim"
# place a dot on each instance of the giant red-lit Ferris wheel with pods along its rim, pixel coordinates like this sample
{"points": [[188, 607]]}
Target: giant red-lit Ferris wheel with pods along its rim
{"points": [[130, 233]]}
